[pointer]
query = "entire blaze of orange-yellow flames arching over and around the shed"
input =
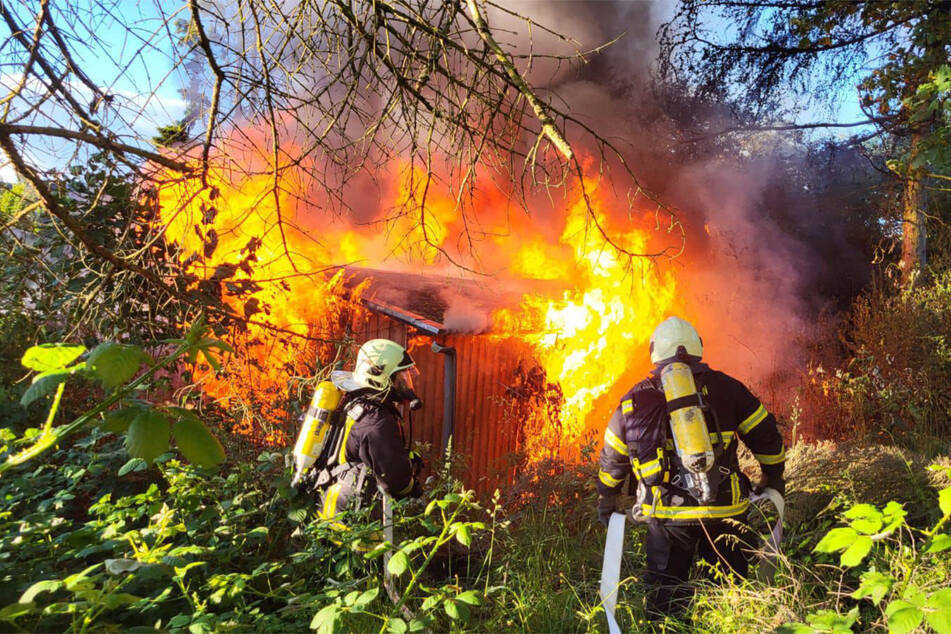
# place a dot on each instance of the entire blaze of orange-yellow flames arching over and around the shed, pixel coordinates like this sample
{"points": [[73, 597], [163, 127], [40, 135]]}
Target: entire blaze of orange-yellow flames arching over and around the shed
{"points": [[589, 337]]}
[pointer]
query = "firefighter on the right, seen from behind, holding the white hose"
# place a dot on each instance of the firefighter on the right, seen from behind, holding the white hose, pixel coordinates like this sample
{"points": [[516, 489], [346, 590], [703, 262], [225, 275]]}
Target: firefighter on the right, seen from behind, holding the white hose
{"points": [[639, 441]]}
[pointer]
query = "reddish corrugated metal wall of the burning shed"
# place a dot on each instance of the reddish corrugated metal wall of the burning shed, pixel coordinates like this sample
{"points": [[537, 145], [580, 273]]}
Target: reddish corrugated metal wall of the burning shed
{"points": [[486, 425]]}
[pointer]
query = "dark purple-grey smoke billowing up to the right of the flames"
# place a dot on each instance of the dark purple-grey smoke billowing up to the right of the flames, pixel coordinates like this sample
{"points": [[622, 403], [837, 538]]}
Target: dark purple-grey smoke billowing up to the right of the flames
{"points": [[756, 268]]}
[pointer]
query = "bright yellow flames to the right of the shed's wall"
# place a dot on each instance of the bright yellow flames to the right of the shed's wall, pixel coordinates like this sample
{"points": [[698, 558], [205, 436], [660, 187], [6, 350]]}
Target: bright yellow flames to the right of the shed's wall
{"points": [[592, 340]]}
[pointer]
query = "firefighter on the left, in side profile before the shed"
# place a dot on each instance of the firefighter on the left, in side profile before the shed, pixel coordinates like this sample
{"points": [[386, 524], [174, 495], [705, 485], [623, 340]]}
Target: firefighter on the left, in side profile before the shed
{"points": [[372, 452]]}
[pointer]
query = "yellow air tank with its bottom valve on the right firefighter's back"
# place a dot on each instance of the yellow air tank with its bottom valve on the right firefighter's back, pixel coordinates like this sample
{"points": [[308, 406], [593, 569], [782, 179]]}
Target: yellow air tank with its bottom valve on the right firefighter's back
{"points": [[689, 428]]}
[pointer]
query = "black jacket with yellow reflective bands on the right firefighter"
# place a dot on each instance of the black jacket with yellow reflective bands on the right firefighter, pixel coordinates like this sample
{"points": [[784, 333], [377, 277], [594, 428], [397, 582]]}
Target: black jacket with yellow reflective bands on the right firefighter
{"points": [[638, 442]]}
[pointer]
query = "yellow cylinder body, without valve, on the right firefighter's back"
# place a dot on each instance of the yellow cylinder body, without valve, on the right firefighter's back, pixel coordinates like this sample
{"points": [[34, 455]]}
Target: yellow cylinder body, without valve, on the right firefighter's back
{"points": [[689, 427]]}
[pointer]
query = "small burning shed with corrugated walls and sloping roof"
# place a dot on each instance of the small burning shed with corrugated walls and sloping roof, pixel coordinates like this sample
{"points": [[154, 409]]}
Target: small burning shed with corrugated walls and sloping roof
{"points": [[478, 386]]}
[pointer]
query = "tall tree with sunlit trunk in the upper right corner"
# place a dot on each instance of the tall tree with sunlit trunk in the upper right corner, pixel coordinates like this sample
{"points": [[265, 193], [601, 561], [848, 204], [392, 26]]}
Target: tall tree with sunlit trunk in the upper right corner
{"points": [[769, 52]]}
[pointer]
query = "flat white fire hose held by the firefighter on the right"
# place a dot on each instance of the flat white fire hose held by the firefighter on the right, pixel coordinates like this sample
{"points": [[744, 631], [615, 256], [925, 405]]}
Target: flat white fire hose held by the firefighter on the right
{"points": [[614, 547]]}
